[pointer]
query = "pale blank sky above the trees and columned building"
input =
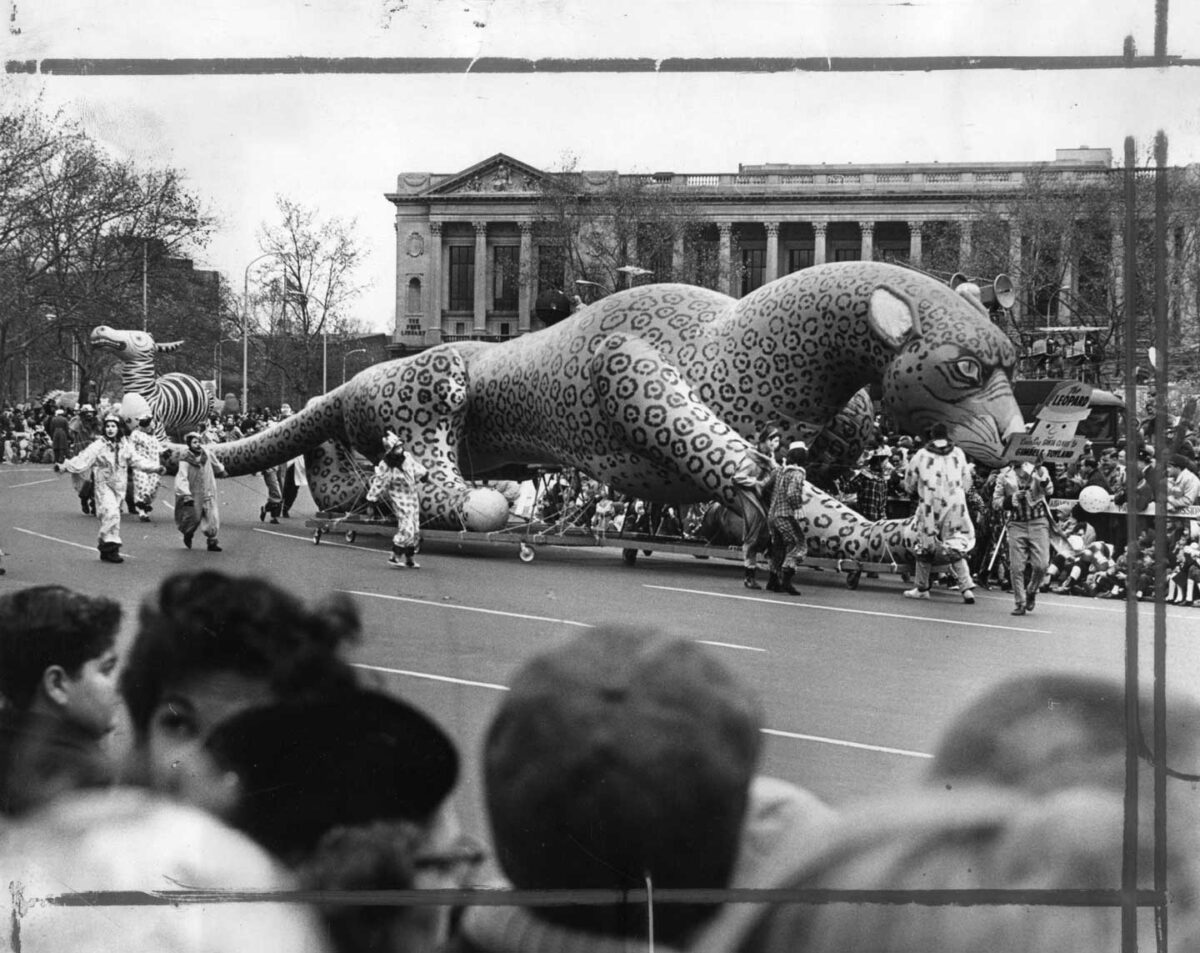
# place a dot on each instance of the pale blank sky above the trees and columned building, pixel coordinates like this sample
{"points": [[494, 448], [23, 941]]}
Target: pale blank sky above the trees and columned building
{"points": [[338, 142]]}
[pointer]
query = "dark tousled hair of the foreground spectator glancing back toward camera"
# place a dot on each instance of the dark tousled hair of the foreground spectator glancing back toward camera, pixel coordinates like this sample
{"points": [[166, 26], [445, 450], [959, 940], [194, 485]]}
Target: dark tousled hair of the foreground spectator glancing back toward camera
{"points": [[212, 622]]}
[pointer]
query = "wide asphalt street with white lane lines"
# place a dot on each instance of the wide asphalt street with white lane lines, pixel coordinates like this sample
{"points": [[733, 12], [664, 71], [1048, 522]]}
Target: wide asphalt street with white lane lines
{"points": [[857, 685]]}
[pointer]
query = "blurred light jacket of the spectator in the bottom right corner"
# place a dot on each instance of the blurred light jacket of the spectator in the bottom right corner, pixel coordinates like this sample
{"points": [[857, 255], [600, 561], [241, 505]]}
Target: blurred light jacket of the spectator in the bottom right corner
{"points": [[934, 843]]}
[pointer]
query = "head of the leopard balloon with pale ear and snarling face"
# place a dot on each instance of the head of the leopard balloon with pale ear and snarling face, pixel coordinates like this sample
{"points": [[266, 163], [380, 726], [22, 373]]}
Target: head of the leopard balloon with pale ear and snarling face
{"points": [[950, 365]]}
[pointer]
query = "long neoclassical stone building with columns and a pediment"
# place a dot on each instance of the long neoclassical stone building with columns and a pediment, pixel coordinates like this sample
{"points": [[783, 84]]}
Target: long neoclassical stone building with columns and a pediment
{"points": [[472, 257]]}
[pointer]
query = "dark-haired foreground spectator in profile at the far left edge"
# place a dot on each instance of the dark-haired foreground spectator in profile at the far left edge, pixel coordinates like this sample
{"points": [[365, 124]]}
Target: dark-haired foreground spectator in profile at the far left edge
{"points": [[58, 687]]}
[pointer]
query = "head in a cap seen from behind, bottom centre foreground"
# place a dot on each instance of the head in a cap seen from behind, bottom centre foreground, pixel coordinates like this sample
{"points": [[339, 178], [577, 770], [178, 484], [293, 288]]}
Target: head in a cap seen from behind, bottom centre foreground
{"points": [[620, 757]]}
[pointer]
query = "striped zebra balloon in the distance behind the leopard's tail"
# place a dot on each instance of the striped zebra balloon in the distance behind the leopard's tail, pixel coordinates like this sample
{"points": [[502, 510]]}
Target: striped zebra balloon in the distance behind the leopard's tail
{"points": [[181, 403]]}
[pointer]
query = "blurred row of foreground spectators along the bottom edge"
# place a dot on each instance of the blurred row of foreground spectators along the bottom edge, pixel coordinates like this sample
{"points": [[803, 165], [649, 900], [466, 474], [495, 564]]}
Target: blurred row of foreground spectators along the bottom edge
{"points": [[622, 777]]}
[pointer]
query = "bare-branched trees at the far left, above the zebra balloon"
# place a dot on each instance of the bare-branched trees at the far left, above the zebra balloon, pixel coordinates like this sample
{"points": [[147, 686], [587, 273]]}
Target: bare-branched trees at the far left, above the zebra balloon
{"points": [[81, 233]]}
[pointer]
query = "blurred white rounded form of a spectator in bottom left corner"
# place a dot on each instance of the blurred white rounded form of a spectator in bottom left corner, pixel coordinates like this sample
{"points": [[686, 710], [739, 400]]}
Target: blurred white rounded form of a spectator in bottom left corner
{"points": [[115, 847]]}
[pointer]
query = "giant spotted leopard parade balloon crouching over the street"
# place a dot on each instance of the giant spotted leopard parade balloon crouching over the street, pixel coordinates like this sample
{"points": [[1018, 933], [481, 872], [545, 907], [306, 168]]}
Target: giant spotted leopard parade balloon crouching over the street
{"points": [[657, 392]]}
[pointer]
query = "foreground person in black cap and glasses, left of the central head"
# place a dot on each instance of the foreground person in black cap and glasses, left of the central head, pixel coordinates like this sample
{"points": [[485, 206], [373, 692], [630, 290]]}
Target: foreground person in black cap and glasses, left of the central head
{"points": [[352, 793]]}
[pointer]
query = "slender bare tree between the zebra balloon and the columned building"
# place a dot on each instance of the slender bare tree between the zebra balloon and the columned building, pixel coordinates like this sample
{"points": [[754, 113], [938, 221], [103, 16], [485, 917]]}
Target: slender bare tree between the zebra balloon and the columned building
{"points": [[303, 301]]}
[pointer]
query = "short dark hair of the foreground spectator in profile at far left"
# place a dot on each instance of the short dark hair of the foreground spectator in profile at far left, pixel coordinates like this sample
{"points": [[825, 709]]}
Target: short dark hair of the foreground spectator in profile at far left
{"points": [[47, 626]]}
